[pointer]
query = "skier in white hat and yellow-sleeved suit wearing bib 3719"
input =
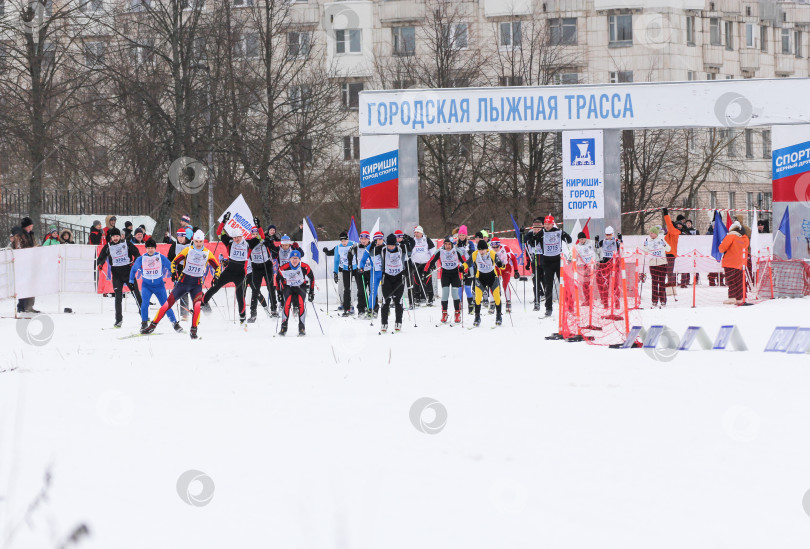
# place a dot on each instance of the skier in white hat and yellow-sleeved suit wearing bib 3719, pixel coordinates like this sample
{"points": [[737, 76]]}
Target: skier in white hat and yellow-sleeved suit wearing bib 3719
{"points": [[194, 260]]}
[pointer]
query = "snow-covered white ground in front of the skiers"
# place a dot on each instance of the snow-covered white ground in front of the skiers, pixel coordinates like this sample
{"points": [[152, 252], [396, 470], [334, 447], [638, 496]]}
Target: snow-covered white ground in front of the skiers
{"points": [[309, 442]]}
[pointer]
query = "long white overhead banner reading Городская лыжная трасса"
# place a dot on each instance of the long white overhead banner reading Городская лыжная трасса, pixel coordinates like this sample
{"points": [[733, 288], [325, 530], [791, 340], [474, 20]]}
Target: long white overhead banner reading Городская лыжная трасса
{"points": [[696, 104]]}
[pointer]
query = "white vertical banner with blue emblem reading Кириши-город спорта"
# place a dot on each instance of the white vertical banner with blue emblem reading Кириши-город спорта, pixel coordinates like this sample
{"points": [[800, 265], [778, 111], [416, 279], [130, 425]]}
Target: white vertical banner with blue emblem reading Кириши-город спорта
{"points": [[583, 175]]}
